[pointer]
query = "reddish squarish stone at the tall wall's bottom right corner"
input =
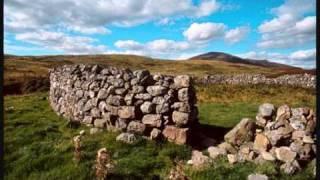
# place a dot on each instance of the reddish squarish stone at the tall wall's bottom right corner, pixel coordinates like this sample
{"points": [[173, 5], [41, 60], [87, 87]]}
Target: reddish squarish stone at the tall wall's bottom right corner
{"points": [[175, 134]]}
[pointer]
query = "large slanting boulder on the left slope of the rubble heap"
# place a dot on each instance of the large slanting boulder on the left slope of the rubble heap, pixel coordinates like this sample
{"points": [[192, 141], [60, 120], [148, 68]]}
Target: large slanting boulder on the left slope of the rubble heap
{"points": [[242, 132]]}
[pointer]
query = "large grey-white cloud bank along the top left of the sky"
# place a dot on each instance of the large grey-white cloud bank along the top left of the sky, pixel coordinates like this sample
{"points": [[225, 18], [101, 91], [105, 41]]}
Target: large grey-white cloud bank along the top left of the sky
{"points": [[92, 16]]}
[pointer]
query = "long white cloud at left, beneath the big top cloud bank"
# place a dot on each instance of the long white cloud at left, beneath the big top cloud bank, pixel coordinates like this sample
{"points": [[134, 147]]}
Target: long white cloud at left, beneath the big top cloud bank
{"points": [[61, 42]]}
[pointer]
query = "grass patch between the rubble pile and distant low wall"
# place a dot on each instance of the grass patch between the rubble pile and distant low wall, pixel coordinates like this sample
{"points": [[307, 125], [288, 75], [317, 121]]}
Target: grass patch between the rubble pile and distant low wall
{"points": [[225, 105]]}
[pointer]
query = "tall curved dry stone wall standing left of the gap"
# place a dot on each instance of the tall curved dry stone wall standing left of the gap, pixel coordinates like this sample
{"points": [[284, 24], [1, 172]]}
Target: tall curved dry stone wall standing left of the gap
{"points": [[157, 106]]}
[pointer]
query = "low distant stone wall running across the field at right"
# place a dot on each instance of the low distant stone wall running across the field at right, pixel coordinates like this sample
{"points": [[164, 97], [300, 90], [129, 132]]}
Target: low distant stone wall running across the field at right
{"points": [[300, 80]]}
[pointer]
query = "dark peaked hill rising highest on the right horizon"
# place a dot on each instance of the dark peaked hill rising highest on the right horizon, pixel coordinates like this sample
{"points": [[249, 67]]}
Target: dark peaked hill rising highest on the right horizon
{"points": [[220, 56]]}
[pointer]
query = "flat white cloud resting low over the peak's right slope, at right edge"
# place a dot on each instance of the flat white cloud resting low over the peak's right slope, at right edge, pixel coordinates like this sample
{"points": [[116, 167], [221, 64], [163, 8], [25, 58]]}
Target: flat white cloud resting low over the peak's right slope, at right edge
{"points": [[300, 58]]}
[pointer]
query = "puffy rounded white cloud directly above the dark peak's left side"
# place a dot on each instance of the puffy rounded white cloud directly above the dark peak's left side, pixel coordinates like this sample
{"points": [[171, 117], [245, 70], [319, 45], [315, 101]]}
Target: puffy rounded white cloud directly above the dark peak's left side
{"points": [[204, 32]]}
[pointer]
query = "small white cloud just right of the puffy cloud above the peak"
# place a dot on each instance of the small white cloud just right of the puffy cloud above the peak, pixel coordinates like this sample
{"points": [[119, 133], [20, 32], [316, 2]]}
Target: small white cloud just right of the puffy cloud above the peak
{"points": [[235, 35]]}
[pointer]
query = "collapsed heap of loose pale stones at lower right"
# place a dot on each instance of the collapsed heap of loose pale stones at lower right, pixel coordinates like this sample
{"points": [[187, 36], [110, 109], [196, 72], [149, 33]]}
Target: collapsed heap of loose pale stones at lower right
{"points": [[285, 136]]}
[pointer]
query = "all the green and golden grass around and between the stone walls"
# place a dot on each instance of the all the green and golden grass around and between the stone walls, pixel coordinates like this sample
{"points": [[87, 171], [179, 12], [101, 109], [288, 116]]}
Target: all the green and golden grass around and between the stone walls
{"points": [[38, 142]]}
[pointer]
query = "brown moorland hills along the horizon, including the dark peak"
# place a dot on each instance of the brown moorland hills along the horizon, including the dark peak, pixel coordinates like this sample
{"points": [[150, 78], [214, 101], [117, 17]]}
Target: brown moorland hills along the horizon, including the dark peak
{"points": [[23, 72]]}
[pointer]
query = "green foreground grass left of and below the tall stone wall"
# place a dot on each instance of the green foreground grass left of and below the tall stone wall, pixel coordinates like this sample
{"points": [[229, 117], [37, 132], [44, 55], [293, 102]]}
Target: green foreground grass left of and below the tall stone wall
{"points": [[38, 146]]}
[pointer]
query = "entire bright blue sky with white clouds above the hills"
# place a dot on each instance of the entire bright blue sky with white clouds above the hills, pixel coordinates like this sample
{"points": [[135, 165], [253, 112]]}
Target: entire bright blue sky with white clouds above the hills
{"points": [[280, 31]]}
